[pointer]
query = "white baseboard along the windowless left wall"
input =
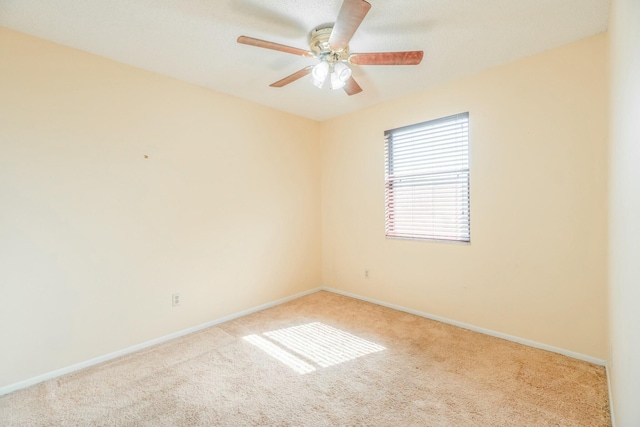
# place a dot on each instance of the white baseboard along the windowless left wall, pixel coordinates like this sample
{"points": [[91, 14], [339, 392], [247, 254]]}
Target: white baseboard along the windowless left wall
{"points": [[100, 359]]}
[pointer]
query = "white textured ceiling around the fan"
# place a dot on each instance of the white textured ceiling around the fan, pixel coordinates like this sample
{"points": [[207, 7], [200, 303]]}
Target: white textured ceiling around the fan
{"points": [[195, 40]]}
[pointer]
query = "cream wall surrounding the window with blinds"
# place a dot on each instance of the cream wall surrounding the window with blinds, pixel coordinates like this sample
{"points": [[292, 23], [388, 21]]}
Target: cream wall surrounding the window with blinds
{"points": [[536, 265]]}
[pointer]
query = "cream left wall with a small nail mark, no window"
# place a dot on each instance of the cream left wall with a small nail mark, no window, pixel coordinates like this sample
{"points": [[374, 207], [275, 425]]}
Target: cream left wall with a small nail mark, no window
{"points": [[94, 238]]}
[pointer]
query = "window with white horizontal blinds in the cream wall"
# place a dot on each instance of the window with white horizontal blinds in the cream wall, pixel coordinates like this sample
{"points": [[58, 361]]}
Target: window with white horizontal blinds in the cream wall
{"points": [[427, 180]]}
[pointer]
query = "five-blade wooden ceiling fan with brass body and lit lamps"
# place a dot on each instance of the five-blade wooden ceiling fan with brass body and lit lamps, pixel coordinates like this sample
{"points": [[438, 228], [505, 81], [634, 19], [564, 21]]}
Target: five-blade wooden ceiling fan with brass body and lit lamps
{"points": [[330, 45]]}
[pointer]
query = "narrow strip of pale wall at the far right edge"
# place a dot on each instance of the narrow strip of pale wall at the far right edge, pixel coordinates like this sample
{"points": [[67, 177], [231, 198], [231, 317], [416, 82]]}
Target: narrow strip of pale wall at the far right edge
{"points": [[624, 364]]}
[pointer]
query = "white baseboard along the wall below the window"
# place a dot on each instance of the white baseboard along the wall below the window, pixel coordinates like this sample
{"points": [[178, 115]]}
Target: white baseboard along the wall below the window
{"points": [[507, 337]]}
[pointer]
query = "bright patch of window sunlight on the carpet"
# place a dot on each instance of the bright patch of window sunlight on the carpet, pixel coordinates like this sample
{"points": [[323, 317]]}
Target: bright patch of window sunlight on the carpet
{"points": [[316, 342]]}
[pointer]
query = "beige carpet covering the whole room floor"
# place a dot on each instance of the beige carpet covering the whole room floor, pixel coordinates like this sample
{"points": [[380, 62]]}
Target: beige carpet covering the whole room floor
{"points": [[323, 360]]}
